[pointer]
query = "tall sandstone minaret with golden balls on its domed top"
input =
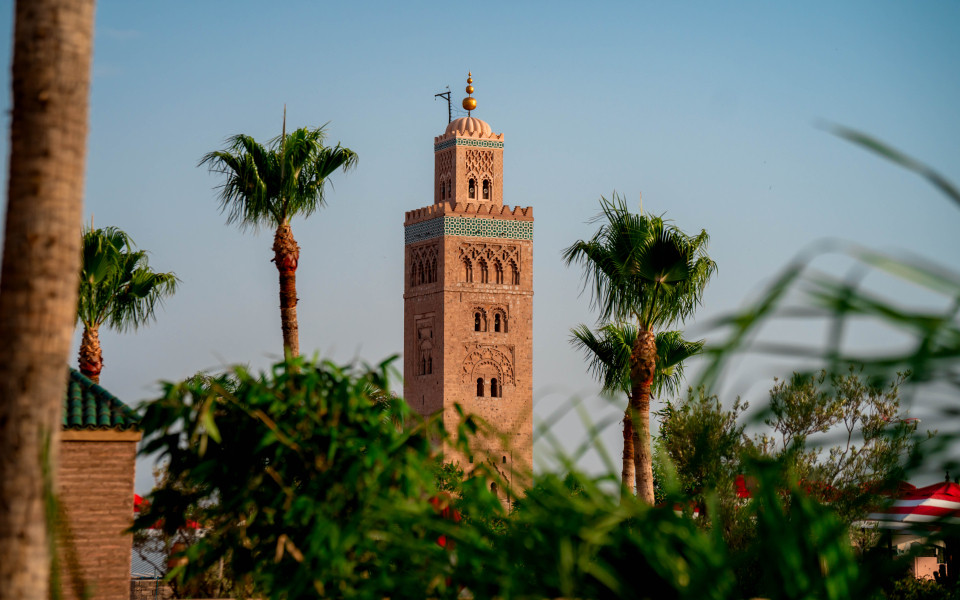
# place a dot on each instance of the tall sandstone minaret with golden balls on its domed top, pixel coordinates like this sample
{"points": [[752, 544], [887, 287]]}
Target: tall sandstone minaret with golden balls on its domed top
{"points": [[468, 298]]}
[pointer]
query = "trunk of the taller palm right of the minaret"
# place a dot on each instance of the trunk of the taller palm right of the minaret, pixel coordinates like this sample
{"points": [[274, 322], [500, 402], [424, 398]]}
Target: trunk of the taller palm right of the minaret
{"points": [[643, 362]]}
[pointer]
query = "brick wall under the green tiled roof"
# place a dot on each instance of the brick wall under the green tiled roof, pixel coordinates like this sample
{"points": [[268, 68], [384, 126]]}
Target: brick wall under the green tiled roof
{"points": [[96, 477]]}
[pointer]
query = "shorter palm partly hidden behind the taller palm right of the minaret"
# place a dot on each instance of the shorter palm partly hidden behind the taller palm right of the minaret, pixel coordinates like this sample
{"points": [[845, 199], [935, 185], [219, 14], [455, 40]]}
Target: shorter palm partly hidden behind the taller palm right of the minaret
{"points": [[608, 357]]}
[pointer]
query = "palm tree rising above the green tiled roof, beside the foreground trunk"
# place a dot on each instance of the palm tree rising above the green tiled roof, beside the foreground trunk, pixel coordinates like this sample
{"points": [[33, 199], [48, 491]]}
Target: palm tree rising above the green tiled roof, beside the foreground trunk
{"points": [[117, 287]]}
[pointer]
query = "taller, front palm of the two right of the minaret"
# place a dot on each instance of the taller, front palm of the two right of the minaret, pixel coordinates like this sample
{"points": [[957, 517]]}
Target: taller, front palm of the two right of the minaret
{"points": [[642, 270]]}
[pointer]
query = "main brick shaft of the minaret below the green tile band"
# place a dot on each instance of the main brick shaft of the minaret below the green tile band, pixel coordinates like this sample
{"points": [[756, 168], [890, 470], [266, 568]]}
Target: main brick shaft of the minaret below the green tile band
{"points": [[440, 321]]}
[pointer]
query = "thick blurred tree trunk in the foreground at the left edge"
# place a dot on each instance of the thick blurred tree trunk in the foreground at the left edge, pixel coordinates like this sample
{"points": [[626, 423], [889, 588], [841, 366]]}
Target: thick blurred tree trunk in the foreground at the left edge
{"points": [[53, 41]]}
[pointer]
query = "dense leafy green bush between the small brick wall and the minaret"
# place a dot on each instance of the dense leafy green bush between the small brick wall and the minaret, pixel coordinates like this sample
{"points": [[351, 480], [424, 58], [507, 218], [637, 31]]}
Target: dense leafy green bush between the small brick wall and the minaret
{"points": [[315, 493]]}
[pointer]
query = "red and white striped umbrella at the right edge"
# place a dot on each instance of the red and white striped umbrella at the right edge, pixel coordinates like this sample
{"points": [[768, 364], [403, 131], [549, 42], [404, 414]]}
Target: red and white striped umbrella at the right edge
{"points": [[930, 505]]}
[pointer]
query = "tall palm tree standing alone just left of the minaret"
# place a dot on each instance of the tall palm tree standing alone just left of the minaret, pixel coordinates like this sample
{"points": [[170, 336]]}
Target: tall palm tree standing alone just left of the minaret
{"points": [[268, 187]]}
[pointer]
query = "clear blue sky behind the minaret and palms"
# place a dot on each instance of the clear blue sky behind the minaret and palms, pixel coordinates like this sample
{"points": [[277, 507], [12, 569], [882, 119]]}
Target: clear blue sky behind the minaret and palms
{"points": [[709, 109]]}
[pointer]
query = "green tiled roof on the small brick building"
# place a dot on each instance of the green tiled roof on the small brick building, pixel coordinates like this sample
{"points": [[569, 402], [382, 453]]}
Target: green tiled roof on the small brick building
{"points": [[86, 405]]}
